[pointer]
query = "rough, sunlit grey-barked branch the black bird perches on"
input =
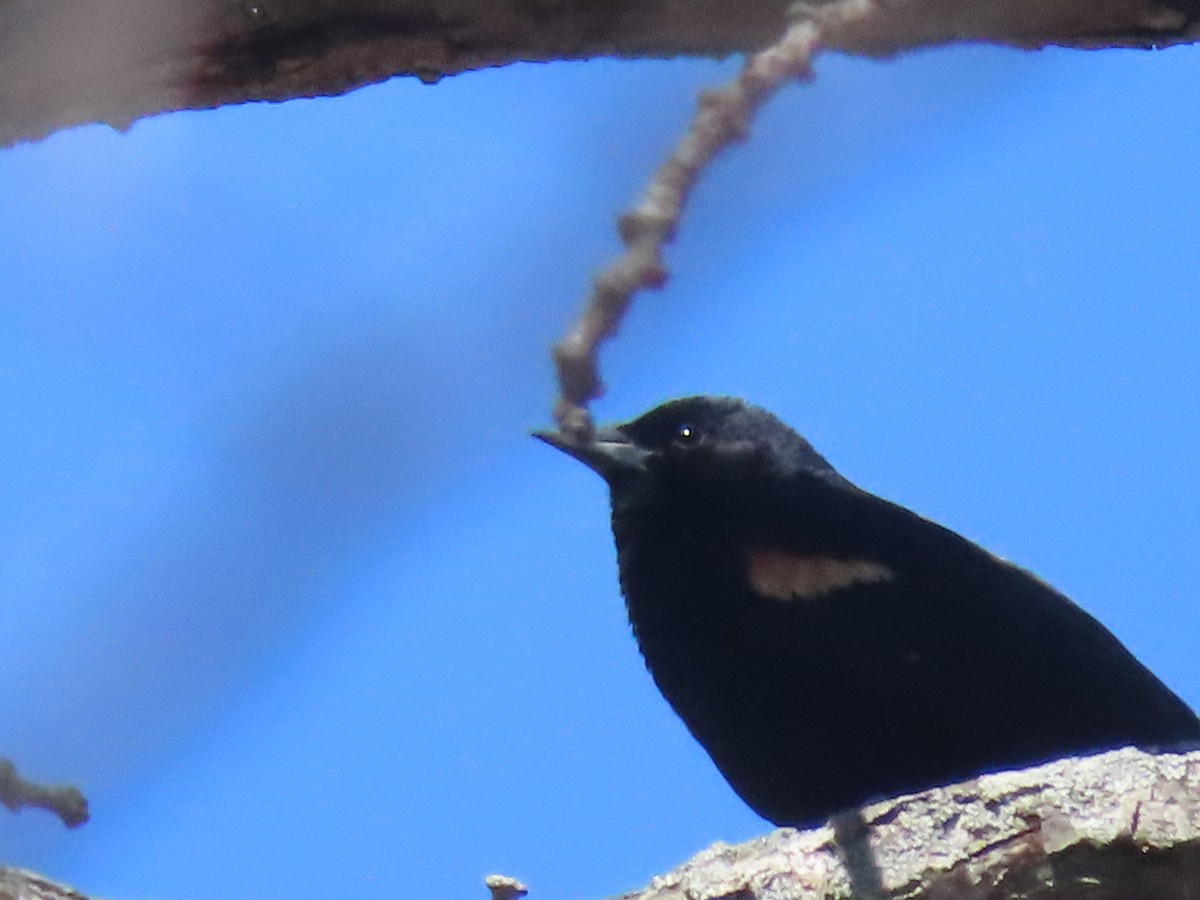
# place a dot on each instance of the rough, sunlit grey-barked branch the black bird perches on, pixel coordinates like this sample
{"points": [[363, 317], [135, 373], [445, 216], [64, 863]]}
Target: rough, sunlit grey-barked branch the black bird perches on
{"points": [[1121, 826]]}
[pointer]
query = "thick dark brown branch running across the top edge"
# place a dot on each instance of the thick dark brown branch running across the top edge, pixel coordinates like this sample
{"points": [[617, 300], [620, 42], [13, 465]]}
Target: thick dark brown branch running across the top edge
{"points": [[65, 63]]}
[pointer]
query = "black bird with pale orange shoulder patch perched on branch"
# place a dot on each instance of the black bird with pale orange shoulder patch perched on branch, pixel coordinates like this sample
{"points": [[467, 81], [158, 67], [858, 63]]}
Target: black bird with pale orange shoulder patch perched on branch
{"points": [[827, 647]]}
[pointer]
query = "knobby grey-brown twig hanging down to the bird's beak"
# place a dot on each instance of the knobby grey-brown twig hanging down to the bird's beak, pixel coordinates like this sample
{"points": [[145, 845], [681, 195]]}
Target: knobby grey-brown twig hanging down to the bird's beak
{"points": [[723, 118]]}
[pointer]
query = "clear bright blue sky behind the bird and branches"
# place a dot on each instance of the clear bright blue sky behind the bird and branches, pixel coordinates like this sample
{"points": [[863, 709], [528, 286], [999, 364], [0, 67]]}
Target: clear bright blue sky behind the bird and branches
{"points": [[293, 597]]}
